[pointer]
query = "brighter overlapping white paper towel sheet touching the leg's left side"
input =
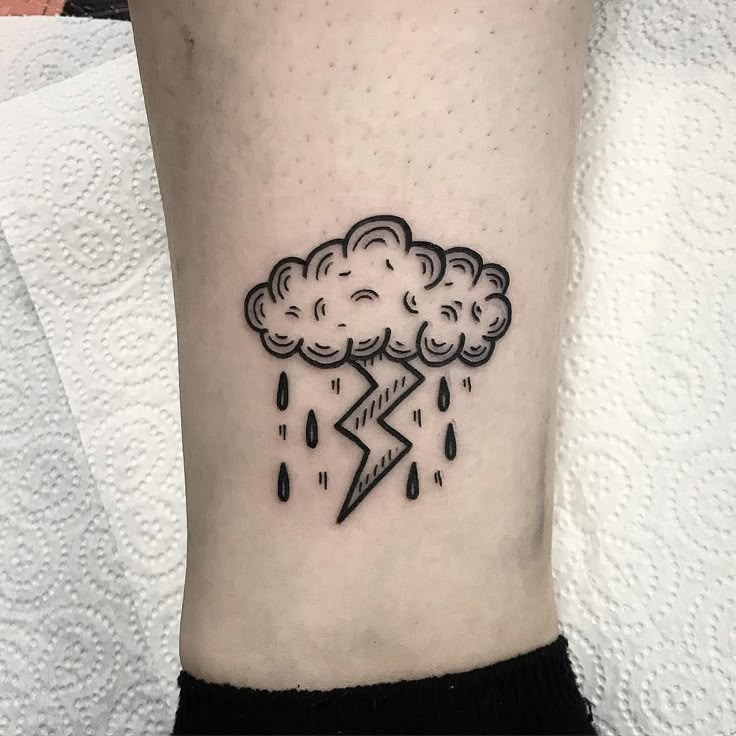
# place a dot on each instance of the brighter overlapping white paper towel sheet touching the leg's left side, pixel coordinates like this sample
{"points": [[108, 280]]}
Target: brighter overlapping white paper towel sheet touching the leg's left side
{"points": [[81, 211]]}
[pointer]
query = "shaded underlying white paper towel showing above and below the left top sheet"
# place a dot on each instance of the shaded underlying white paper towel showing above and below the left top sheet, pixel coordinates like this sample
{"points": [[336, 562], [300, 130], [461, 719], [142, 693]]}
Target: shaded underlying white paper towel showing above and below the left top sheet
{"points": [[73, 659]]}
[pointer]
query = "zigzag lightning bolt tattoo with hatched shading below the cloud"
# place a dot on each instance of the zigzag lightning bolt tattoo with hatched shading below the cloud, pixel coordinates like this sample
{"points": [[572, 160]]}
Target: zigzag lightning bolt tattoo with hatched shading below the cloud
{"points": [[389, 383]]}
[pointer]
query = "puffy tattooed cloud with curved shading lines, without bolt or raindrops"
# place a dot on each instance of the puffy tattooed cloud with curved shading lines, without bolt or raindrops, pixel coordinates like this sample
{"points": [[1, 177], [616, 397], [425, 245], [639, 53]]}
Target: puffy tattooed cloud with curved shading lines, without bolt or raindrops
{"points": [[376, 292]]}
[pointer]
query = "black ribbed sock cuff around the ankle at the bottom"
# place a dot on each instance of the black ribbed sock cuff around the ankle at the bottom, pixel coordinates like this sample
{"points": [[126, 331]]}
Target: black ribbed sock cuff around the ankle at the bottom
{"points": [[531, 693]]}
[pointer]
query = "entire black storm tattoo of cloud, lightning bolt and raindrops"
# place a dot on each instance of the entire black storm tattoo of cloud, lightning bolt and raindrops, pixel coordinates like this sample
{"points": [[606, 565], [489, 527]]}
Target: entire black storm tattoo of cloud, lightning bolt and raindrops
{"points": [[389, 308]]}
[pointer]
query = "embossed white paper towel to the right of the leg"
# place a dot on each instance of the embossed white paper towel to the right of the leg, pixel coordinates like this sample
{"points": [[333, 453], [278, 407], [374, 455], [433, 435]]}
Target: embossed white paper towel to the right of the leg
{"points": [[645, 540]]}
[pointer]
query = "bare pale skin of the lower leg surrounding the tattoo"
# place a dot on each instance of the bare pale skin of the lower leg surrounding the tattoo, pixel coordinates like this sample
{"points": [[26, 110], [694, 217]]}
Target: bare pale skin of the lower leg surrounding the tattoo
{"points": [[277, 126]]}
